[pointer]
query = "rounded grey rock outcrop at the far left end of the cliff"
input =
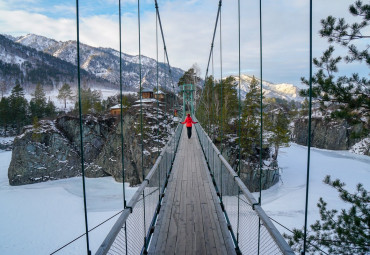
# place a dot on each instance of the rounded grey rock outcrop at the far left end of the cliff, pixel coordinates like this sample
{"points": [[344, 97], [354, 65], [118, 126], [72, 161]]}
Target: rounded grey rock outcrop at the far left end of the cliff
{"points": [[42, 155]]}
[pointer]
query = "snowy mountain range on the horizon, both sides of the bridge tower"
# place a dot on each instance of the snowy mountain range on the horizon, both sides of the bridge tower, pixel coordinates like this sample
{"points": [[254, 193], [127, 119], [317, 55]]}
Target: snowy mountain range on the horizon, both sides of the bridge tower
{"points": [[33, 59]]}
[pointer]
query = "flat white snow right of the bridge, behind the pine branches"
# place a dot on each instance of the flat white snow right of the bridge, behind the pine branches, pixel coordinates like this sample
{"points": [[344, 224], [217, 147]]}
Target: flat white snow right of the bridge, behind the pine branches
{"points": [[285, 202]]}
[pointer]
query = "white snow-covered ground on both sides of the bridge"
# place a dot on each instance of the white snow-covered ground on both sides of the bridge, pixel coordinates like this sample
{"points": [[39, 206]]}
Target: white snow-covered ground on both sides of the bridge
{"points": [[39, 218]]}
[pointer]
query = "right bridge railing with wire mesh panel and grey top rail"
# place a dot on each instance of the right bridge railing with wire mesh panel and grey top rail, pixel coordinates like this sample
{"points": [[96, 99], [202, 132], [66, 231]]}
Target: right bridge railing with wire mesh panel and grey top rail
{"points": [[251, 229]]}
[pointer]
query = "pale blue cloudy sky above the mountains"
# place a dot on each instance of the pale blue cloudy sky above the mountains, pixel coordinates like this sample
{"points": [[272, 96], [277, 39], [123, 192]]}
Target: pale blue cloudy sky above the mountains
{"points": [[188, 27]]}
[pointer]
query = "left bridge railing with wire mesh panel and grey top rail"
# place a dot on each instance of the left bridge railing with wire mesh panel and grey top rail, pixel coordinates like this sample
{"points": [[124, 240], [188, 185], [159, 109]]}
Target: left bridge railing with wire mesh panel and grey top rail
{"points": [[131, 232]]}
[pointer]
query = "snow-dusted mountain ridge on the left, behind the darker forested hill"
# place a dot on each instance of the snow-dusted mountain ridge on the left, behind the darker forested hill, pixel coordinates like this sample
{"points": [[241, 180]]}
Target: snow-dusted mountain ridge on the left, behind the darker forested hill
{"points": [[104, 62]]}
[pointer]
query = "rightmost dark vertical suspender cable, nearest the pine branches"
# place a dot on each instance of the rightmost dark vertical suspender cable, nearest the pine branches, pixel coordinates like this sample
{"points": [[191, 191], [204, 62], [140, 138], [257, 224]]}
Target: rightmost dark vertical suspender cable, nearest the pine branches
{"points": [[309, 138]]}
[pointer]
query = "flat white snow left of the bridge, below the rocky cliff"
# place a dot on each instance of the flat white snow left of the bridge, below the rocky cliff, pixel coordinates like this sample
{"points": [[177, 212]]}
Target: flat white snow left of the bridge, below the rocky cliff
{"points": [[40, 218]]}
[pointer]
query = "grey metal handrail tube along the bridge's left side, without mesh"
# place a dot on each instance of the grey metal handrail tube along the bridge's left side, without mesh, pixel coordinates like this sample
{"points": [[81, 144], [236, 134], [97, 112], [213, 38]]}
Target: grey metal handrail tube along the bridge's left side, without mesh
{"points": [[130, 208]]}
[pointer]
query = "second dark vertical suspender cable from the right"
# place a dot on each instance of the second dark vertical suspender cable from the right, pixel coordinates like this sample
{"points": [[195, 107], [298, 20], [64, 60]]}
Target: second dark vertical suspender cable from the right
{"points": [[261, 129]]}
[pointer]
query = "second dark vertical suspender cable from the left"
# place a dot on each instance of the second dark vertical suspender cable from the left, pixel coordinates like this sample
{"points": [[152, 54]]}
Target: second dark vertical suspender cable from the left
{"points": [[120, 86]]}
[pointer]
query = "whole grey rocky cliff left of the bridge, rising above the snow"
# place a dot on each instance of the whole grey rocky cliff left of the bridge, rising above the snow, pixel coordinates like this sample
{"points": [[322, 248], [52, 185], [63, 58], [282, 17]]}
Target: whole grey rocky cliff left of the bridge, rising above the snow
{"points": [[52, 151]]}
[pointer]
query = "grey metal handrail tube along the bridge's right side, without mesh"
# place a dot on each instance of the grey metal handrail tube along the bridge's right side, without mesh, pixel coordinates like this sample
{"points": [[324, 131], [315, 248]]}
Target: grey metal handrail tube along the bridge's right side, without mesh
{"points": [[274, 233]]}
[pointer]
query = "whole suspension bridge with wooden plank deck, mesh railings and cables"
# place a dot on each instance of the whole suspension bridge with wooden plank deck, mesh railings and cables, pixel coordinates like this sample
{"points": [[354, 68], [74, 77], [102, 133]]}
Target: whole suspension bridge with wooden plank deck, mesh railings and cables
{"points": [[192, 201]]}
